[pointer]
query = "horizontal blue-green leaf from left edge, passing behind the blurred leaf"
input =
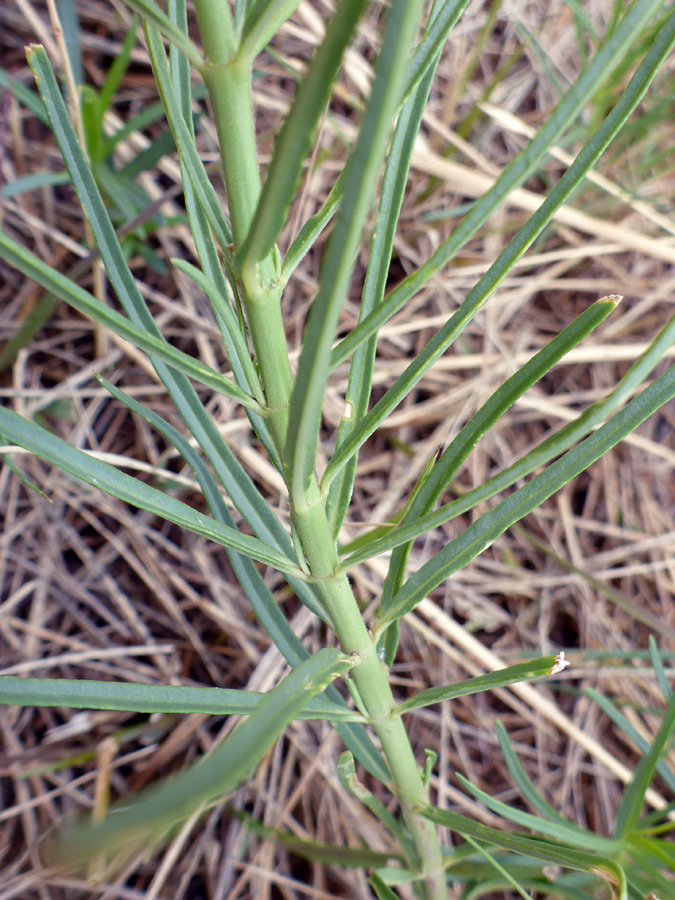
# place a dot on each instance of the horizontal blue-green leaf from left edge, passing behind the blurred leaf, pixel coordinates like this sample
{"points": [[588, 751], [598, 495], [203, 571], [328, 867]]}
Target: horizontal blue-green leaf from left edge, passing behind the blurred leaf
{"points": [[78, 693]]}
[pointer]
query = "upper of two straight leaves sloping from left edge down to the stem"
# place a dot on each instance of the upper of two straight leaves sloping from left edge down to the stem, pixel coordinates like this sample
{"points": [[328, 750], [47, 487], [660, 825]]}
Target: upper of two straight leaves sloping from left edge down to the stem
{"points": [[151, 342]]}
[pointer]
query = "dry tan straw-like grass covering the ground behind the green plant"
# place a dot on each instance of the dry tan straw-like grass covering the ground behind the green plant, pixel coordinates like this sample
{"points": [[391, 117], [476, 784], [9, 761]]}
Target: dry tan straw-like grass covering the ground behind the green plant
{"points": [[93, 589]]}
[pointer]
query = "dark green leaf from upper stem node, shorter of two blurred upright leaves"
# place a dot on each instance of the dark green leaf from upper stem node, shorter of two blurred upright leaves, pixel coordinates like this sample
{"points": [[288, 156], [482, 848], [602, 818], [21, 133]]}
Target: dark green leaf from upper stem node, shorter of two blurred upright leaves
{"points": [[296, 136]]}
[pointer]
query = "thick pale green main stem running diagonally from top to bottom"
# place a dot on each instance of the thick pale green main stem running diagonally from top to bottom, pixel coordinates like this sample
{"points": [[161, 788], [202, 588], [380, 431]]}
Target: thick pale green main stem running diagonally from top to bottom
{"points": [[228, 80]]}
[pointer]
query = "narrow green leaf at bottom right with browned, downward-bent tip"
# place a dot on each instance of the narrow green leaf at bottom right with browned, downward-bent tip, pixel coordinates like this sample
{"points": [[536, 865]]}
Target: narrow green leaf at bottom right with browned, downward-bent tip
{"points": [[601, 866]]}
